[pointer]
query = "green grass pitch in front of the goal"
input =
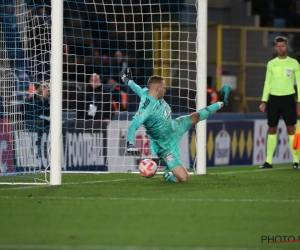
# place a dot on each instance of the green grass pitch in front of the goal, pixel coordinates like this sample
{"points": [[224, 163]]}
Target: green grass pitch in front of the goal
{"points": [[229, 208]]}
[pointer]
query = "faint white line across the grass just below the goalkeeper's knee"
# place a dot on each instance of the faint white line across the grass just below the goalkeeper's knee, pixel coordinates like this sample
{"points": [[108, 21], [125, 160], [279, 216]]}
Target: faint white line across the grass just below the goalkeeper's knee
{"points": [[147, 199]]}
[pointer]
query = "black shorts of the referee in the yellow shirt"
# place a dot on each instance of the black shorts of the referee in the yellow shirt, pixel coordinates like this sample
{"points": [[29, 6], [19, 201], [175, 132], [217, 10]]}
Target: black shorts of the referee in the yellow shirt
{"points": [[284, 106]]}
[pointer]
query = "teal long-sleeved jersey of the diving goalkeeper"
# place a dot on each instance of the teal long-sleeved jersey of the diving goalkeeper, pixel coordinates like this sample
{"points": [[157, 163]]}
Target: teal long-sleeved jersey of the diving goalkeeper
{"points": [[156, 116]]}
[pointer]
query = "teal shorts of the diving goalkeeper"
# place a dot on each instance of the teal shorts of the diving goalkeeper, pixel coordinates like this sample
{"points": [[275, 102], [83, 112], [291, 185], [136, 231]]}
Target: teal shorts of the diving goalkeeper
{"points": [[171, 156]]}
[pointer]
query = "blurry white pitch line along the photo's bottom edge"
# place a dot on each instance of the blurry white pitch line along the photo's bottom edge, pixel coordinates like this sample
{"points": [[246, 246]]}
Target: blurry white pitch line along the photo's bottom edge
{"points": [[68, 247]]}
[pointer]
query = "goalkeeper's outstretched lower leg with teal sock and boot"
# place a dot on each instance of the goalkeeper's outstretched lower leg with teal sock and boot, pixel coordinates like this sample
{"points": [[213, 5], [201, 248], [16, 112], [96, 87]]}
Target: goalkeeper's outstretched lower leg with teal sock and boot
{"points": [[204, 113]]}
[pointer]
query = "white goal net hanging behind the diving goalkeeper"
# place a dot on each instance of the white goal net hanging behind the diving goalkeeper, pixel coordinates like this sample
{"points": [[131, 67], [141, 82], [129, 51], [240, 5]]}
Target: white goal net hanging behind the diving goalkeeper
{"points": [[100, 39]]}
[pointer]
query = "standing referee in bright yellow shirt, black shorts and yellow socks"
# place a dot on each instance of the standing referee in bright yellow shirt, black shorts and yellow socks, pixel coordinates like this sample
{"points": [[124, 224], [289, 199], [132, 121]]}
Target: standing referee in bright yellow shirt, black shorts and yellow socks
{"points": [[278, 98]]}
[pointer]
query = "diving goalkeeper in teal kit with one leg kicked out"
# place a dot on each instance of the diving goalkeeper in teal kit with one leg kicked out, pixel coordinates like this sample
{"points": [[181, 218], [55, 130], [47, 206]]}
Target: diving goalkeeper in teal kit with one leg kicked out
{"points": [[164, 132]]}
